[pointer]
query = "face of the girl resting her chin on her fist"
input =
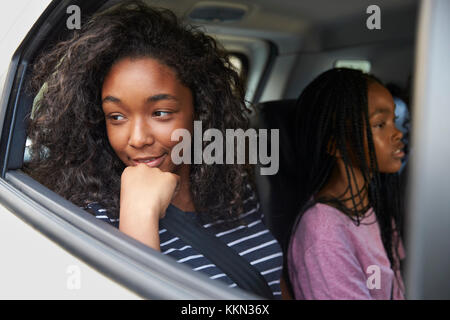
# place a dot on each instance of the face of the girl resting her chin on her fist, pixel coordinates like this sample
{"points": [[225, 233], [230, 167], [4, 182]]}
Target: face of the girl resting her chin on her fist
{"points": [[144, 102]]}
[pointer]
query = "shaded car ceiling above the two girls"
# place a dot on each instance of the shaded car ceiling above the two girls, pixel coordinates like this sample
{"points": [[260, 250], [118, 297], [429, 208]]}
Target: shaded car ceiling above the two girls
{"points": [[296, 25]]}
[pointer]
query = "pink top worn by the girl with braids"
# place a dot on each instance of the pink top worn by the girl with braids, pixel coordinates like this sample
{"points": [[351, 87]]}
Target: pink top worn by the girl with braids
{"points": [[329, 257]]}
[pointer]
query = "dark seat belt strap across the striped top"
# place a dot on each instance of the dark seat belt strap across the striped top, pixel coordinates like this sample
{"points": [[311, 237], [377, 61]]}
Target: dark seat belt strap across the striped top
{"points": [[229, 261]]}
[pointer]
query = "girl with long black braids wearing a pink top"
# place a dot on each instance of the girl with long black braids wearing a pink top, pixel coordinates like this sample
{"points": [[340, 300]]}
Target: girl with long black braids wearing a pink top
{"points": [[345, 243]]}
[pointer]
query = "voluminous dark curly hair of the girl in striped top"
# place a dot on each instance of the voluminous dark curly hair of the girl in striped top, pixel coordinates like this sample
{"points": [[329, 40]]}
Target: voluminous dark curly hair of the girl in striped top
{"points": [[71, 153]]}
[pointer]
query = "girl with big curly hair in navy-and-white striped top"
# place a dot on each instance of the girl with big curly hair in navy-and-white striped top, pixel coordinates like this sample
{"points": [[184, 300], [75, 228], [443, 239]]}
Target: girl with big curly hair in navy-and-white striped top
{"points": [[114, 93]]}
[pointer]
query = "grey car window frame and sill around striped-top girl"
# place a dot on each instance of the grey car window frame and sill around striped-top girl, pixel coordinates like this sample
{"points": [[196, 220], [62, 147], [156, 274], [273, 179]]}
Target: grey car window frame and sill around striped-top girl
{"points": [[141, 270]]}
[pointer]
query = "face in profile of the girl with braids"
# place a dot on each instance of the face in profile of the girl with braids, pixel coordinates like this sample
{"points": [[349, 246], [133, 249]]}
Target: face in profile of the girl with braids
{"points": [[386, 137]]}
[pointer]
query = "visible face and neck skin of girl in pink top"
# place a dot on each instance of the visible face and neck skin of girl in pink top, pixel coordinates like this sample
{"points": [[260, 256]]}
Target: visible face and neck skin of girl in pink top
{"points": [[387, 143]]}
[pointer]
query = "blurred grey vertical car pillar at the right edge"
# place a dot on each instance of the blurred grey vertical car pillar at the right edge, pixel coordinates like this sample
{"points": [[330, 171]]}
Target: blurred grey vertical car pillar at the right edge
{"points": [[428, 265]]}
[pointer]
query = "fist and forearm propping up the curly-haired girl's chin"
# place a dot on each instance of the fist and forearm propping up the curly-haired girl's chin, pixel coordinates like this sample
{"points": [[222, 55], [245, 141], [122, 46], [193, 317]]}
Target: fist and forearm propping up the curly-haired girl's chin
{"points": [[144, 197]]}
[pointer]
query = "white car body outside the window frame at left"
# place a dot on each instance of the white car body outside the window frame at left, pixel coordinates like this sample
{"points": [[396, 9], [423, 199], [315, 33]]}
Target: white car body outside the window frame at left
{"points": [[33, 266]]}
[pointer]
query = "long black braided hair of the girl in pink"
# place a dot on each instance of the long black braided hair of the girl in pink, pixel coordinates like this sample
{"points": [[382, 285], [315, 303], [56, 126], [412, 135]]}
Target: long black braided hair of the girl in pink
{"points": [[334, 108]]}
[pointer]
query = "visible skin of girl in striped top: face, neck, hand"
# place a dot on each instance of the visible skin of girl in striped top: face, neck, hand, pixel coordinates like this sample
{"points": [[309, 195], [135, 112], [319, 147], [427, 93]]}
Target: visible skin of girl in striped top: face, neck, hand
{"points": [[144, 102]]}
